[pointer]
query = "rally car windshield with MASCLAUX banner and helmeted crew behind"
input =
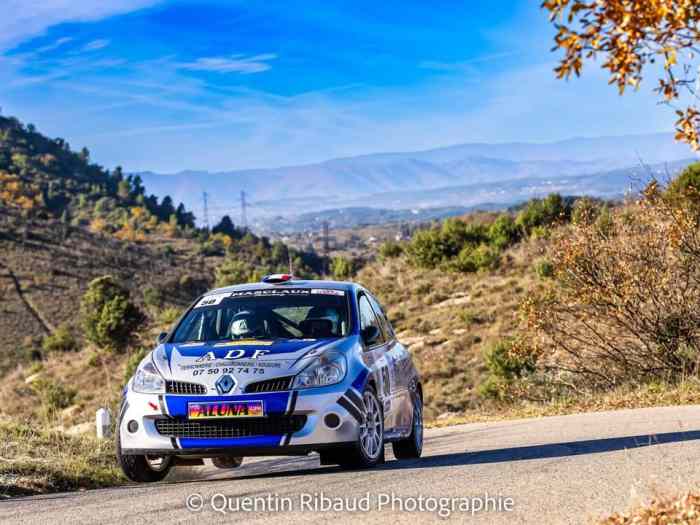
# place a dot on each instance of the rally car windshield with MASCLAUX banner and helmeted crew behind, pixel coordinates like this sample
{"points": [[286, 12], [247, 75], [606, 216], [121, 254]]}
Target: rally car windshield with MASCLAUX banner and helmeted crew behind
{"points": [[292, 313]]}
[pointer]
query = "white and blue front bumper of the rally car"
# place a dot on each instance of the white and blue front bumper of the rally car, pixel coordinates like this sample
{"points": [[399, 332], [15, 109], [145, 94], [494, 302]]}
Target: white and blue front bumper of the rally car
{"points": [[315, 434]]}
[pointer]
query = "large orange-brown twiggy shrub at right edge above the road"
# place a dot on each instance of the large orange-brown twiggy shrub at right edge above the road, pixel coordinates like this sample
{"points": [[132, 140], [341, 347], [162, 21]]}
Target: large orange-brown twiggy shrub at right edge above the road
{"points": [[625, 304]]}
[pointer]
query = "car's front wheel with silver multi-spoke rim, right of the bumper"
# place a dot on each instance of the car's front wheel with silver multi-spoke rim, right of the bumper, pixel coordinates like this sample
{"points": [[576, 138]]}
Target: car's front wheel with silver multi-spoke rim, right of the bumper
{"points": [[361, 454]]}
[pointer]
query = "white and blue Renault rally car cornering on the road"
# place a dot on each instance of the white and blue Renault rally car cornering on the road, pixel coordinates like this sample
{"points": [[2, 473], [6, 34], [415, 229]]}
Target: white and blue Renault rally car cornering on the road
{"points": [[280, 367]]}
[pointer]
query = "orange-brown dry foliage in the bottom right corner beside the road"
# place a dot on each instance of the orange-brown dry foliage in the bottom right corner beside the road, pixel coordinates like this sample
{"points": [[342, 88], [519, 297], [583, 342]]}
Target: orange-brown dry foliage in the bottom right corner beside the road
{"points": [[683, 509]]}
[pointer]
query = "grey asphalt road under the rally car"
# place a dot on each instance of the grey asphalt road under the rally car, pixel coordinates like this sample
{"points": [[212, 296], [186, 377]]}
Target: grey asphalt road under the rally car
{"points": [[564, 469]]}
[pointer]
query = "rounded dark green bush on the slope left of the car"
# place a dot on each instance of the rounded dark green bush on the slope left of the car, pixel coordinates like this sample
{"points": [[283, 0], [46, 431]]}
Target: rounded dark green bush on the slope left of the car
{"points": [[109, 317]]}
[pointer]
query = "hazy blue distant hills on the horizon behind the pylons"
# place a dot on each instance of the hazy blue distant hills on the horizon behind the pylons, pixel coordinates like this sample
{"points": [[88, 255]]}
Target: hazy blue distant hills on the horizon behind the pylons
{"points": [[464, 175]]}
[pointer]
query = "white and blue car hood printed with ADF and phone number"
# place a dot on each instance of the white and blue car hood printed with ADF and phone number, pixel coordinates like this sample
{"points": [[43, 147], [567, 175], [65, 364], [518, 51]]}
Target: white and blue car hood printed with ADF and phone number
{"points": [[245, 361]]}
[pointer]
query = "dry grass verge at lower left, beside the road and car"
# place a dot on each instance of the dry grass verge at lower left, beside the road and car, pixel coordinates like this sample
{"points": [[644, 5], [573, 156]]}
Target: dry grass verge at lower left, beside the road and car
{"points": [[34, 461]]}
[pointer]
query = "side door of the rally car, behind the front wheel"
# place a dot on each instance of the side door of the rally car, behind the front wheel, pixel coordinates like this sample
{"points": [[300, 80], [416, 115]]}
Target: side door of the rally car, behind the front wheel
{"points": [[376, 359]]}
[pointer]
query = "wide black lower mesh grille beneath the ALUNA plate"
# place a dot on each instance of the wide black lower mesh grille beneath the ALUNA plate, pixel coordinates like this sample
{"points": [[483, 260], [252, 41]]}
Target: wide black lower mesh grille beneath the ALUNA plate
{"points": [[182, 428]]}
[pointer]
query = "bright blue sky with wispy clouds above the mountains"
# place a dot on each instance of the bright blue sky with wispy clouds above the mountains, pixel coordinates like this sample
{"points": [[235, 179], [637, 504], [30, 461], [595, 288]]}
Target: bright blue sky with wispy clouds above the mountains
{"points": [[175, 85]]}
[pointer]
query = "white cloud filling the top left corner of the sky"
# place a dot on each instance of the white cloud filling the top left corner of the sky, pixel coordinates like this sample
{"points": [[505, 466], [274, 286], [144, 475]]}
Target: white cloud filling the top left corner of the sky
{"points": [[22, 19]]}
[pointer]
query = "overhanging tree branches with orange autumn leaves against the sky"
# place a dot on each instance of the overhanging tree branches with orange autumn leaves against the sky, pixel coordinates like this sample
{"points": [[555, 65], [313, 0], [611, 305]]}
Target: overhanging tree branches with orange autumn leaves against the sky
{"points": [[632, 35]]}
